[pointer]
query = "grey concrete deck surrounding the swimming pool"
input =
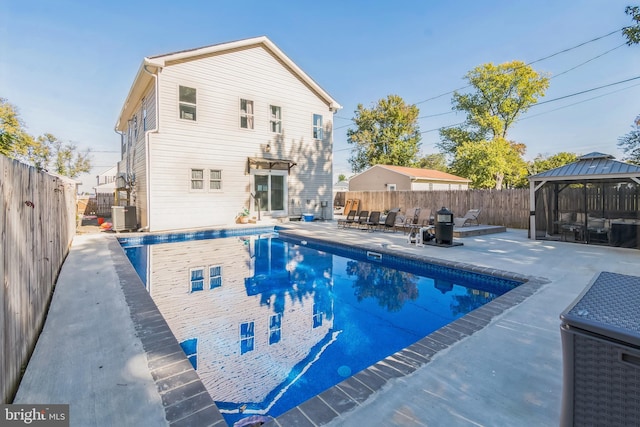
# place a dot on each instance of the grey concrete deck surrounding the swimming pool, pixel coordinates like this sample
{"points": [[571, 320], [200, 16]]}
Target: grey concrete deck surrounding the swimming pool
{"points": [[97, 352]]}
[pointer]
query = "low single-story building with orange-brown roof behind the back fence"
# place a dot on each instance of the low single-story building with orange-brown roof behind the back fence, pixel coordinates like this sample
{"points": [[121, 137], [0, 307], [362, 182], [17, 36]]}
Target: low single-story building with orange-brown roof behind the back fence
{"points": [[397, 178]]}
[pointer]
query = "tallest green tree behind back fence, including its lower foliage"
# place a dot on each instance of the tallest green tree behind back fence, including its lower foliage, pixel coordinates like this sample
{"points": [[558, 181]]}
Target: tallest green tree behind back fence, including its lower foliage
{"points": [[500, 95]]}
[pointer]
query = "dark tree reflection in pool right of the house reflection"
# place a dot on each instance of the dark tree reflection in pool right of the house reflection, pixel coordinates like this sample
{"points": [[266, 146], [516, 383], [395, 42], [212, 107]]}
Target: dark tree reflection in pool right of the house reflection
{"points": [[392, 288]]}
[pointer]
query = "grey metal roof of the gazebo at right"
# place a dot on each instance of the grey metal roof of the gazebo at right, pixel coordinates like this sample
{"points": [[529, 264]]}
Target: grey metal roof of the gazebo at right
{"points": [[592, 166]]}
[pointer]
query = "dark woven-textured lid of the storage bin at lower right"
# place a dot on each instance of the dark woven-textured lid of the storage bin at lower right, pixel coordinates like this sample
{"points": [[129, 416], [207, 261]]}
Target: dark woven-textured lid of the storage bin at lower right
{"points": [[608, 306]]}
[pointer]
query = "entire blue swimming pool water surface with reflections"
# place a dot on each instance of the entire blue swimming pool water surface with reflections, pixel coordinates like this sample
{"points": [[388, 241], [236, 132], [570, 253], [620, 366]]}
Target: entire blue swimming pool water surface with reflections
{"points": [[269, 322]]}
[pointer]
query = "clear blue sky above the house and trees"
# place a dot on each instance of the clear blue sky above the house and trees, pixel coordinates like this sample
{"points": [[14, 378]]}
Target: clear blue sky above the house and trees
{"points": [[68, 65]]}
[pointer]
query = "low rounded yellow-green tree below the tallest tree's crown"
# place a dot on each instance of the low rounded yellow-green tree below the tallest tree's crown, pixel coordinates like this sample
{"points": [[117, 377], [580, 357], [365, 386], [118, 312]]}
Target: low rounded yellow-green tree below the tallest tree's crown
{"points": [[491, 164]]}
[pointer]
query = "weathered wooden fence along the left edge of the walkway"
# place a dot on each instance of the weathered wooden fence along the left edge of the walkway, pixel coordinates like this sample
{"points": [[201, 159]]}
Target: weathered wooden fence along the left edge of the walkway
{"points": [[37, 222]]}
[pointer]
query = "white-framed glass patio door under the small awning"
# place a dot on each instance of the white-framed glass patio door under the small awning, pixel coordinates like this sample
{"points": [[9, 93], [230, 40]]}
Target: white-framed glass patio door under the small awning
{"points": [[270, 188]]}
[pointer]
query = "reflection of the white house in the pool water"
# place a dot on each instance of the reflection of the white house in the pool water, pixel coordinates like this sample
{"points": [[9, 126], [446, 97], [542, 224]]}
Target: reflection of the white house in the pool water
{"points": [[248, 324]]}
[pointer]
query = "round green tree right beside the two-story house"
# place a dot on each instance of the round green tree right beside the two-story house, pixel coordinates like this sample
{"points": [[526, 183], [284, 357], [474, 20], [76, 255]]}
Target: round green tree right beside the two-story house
{"points": [[386, 134]]}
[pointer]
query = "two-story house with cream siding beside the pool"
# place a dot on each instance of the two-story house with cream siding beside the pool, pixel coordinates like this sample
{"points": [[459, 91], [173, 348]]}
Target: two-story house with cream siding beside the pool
{"points": [[206, 132]]}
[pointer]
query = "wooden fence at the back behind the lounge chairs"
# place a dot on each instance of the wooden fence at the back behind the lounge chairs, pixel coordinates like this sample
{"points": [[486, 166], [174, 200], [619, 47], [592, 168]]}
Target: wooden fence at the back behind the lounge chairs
{"points": [[509, 208]]}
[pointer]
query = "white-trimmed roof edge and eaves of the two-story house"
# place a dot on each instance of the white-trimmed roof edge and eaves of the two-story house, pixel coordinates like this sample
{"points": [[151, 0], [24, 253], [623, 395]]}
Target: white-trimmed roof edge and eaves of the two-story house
{"points": [[151, 65]]}
